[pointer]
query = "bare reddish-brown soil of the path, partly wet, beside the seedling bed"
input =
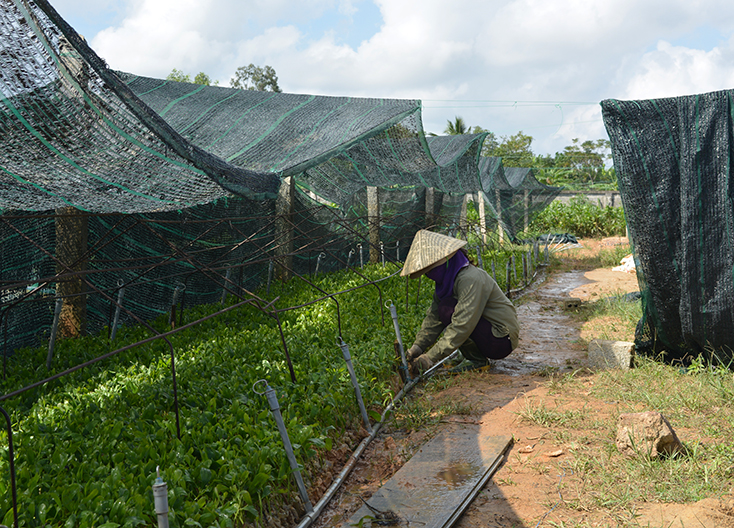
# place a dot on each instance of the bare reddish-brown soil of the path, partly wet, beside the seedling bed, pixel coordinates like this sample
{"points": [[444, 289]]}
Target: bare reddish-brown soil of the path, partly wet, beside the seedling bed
{"points": [[536, 485]]}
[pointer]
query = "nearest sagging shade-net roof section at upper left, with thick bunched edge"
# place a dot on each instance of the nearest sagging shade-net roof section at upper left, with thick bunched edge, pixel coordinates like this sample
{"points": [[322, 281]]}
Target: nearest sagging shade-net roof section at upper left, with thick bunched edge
{"points": [[71, 134]]}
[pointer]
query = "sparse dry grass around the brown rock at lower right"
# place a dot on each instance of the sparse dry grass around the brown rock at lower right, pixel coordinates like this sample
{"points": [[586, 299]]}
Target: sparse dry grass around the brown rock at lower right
{"points": [[698, 403]]}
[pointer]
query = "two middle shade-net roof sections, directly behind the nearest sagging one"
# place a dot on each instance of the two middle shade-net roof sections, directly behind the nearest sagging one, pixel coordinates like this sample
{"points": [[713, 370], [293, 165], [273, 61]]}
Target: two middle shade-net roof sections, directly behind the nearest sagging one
{"points": [[334, 146]]}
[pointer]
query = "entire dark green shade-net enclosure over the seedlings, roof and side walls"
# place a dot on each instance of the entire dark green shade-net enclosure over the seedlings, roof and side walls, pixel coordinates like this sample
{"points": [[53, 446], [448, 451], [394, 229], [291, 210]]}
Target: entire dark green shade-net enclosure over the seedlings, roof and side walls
{"points": [[177, 184]]}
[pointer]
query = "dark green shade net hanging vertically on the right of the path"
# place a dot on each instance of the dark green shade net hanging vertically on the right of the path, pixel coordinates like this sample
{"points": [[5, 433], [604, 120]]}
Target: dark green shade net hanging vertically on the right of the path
{"points": [[674, 163]]}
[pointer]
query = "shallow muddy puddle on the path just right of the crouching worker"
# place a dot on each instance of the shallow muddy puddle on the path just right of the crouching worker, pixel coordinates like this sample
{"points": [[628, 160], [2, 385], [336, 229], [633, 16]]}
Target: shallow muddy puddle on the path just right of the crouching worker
{"points": [[546, 332]]}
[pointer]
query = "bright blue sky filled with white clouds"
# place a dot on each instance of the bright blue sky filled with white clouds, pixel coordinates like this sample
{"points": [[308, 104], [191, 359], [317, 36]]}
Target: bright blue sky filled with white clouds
{"points": [[537, 66]]}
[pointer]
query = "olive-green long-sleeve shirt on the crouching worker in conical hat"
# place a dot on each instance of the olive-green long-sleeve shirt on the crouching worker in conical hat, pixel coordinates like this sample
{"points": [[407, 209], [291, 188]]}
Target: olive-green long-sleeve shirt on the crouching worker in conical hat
{"points": [[477, 295]]}
